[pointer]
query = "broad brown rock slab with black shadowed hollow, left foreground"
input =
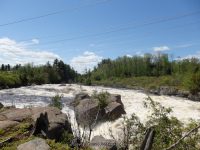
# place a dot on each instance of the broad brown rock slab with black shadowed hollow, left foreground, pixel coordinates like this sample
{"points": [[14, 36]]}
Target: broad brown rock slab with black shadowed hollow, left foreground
{"points": [[49, 121]]}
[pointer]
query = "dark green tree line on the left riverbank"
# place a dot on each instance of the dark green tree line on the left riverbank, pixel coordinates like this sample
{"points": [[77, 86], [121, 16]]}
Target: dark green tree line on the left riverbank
{"points": [[28, 74]]}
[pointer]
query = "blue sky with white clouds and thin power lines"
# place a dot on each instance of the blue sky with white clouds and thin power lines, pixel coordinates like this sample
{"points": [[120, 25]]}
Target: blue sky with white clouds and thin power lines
{"points": [[83, 32]]}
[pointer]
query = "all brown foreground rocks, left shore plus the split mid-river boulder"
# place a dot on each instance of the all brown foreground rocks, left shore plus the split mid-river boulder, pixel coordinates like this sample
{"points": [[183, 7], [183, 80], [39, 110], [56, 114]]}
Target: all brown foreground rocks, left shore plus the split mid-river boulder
{"points": [[37, 125]]}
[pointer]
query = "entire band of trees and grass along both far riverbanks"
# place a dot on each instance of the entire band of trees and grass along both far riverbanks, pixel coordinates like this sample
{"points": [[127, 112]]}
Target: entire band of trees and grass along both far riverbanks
{"points": [[138, 72]]}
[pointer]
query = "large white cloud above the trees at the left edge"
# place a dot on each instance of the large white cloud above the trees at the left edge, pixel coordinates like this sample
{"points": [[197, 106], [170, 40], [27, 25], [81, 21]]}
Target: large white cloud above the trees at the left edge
{"points": [[12, 52]]}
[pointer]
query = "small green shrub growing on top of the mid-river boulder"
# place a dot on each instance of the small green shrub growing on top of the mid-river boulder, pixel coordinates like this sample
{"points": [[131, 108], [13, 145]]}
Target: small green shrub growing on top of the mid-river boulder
{"points": [[102, 98]]}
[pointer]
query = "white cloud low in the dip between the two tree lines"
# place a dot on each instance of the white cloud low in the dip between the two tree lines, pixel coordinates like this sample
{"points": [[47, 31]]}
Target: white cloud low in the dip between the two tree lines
{"points": [[85, 61]]}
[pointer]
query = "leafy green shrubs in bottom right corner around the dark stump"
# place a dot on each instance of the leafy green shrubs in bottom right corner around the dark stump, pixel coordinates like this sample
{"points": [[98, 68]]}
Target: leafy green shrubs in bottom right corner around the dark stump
{"points": [[168, 129]]}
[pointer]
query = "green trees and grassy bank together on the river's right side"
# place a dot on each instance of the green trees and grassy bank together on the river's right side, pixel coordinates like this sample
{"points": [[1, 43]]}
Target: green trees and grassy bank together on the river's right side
{"points": [[148, 72]]}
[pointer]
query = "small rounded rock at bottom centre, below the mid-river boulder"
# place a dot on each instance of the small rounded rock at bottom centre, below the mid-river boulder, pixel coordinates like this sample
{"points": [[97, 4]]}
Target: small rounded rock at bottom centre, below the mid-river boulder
{"points": [[99, 142]]}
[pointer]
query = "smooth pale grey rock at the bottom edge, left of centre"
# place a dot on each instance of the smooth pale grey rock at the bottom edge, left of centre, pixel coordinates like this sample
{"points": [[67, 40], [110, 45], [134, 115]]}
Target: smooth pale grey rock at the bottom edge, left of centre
{"points": [[36, 144]]}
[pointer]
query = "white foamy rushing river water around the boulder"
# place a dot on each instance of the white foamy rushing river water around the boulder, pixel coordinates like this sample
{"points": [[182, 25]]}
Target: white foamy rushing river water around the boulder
{"points": [[133, 100]]}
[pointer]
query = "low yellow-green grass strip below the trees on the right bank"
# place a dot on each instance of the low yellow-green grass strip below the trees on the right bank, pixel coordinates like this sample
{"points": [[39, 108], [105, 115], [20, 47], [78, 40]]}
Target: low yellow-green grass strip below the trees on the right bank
{"points": [[144, 82]]}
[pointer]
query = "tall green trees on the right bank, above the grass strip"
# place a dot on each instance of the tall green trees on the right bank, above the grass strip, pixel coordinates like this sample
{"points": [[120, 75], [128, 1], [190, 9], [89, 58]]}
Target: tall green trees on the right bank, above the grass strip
{"points": [[186, 71]]}
